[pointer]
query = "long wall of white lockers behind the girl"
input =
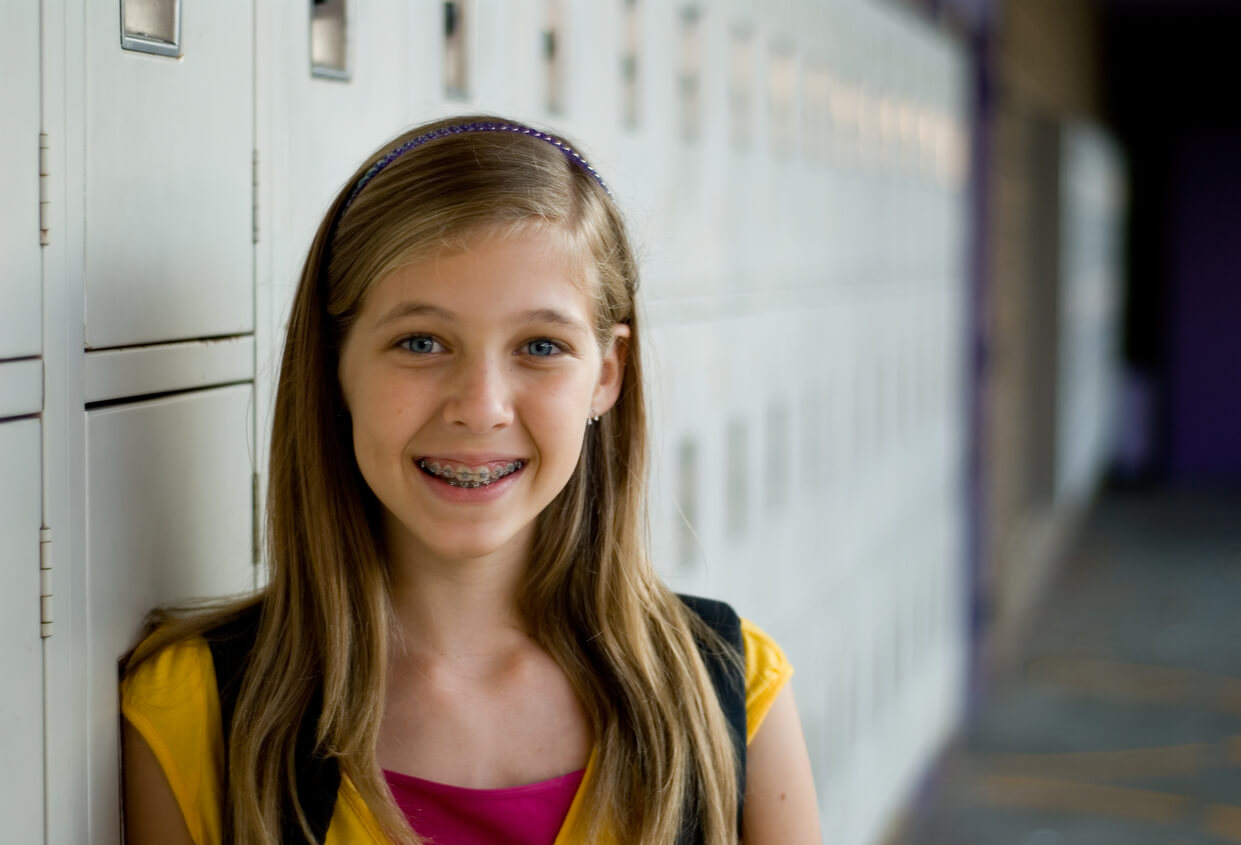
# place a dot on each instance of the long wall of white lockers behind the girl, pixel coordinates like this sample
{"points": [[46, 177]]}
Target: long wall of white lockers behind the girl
{"points": [[150, 253]]}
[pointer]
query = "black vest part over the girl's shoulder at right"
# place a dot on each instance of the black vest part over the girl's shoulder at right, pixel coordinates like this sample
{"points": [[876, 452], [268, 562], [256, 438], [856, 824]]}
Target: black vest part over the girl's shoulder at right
{"points": [[730, 684]]}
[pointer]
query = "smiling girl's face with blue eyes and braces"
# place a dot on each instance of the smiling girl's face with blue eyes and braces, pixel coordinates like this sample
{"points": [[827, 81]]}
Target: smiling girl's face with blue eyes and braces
{"points": [[470, 377]]}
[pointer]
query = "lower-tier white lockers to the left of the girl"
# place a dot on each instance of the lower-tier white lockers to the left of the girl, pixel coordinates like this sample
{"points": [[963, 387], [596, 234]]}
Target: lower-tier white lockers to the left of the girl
{"points": [[168, 513]]}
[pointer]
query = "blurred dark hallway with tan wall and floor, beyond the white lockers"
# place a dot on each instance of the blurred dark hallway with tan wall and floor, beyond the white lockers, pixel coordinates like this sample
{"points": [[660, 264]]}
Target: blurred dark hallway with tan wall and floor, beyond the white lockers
{"points": [[1105, 703]]}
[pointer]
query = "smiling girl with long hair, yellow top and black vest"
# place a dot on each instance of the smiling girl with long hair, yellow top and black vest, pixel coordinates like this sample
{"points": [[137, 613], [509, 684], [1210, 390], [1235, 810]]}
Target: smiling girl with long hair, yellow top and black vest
{"points": [[462, 640]]}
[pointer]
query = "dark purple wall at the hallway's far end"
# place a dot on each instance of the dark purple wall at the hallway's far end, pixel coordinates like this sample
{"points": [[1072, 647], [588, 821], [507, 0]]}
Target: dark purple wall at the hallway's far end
{"points": [[1204, 354]]}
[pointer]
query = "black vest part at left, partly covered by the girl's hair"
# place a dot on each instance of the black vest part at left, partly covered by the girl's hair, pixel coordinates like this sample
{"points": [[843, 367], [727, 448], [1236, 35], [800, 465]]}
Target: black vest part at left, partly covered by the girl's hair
{"points": [[318, 777]]}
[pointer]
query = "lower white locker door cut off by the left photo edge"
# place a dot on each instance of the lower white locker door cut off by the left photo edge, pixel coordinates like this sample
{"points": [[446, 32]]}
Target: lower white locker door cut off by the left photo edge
{"points": [[22, 653]]}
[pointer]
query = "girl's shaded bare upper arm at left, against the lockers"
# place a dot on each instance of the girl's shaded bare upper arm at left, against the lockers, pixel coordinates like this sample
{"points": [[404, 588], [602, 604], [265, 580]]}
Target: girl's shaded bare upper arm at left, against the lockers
{"points": [[152, 813]]}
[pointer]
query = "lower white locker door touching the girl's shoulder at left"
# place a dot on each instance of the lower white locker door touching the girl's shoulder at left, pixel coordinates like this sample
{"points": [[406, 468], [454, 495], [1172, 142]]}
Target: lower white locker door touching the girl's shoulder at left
{"points": [[169, 518]]}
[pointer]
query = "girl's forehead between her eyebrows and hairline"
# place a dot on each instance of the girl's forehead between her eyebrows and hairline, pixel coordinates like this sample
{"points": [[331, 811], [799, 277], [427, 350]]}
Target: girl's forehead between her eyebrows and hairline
{"points": [[493, 272]]}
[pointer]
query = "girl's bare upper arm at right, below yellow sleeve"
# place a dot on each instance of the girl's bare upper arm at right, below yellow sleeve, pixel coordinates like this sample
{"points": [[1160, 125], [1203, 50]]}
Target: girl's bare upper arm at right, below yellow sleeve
{"points": [[781, 808]]}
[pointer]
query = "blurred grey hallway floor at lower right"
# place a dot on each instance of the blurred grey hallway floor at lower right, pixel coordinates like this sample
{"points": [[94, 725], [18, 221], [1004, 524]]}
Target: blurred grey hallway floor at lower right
{"points": [[1121, 722]]}
